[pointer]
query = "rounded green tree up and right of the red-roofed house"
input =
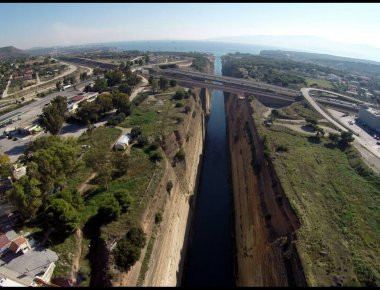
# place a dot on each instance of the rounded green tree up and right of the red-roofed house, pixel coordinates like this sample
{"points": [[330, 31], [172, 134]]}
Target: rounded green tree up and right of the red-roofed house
{"points": [[62, 216]]}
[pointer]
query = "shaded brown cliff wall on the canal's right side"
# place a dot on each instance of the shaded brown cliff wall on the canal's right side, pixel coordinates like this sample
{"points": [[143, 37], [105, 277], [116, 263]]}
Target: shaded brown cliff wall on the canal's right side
{"points": [[265, 223]]}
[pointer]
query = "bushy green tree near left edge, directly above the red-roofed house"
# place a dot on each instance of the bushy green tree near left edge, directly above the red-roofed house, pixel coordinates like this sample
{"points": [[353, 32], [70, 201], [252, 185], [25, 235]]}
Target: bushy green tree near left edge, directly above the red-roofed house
{"points": [[26, 196]]}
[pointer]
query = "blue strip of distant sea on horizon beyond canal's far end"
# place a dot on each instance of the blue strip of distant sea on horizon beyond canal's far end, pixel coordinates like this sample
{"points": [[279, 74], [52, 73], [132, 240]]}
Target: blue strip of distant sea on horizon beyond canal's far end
{"points": [[214, 47]]}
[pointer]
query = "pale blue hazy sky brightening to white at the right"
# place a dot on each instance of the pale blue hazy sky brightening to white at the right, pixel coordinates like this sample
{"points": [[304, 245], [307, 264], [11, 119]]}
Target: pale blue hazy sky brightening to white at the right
{"points": [[43, 24]]}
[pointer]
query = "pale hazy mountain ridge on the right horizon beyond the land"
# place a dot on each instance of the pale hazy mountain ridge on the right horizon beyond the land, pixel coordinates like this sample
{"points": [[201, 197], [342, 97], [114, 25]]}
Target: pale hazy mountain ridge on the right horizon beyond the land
{"points": [[307, 43]]}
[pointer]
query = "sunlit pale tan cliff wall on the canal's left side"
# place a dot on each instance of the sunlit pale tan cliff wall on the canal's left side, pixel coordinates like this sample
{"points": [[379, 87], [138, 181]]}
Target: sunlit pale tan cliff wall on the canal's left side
{"points": [[165, 268]]}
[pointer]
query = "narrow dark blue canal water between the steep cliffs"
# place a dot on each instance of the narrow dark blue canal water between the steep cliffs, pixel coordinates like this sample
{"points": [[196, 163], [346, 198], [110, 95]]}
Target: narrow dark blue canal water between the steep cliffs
{"points": [[209, 258]]}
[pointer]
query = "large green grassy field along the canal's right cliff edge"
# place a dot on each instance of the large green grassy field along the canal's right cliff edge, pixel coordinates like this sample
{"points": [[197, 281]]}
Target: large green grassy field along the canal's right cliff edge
{"points": [[337, 199]]}
